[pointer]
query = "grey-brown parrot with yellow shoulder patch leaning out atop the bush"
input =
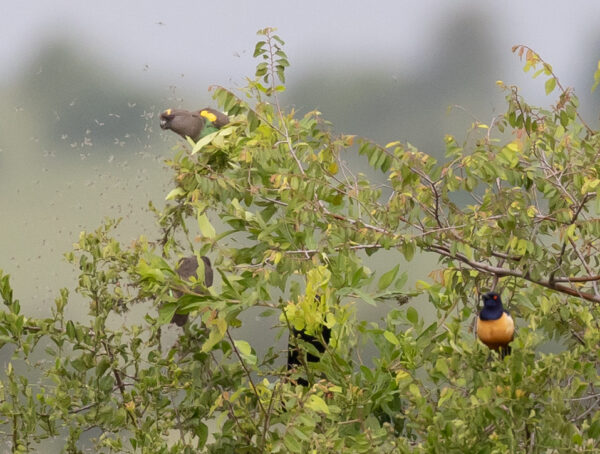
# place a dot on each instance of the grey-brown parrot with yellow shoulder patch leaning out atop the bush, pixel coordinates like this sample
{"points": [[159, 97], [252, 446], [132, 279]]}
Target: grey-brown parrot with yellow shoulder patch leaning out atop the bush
{"points": [[194, 125]]}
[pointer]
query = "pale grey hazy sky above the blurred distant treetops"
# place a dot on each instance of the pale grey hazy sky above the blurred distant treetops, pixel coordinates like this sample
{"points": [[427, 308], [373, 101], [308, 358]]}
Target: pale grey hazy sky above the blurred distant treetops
{"points": [[176, 42]]}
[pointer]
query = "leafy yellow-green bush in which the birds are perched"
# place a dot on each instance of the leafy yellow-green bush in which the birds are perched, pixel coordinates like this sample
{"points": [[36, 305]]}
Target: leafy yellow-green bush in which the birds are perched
{"points": [[514, 208]]}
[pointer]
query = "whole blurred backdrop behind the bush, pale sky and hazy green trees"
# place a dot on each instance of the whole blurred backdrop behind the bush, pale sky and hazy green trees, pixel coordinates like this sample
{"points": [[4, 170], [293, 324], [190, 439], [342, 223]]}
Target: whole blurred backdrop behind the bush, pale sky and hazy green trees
{"points": [[82, 84]]}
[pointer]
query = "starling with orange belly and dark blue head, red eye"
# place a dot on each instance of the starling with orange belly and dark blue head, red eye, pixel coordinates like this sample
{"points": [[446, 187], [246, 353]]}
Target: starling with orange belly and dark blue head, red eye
{"points": [[495, 326]]}
